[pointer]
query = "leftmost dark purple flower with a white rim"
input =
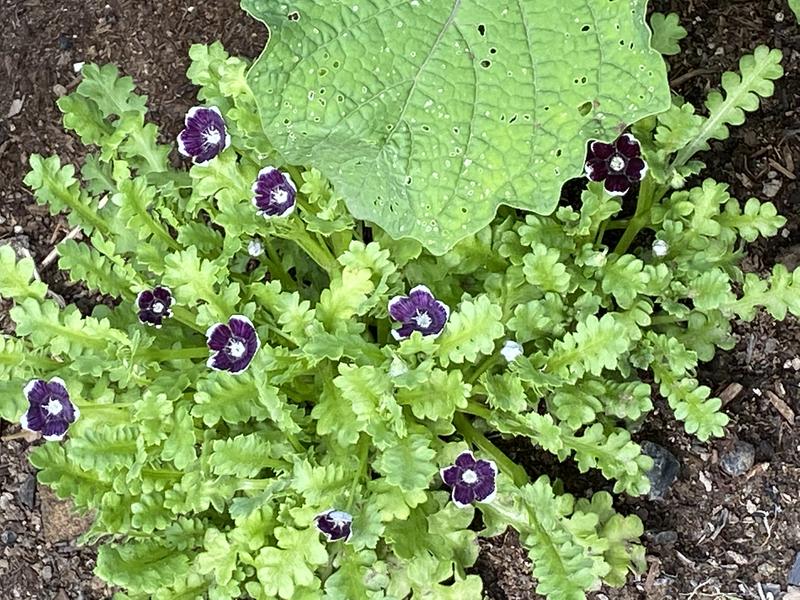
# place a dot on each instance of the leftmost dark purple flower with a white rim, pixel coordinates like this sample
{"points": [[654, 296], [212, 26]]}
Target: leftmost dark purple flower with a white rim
{"points": [[50, 412]]}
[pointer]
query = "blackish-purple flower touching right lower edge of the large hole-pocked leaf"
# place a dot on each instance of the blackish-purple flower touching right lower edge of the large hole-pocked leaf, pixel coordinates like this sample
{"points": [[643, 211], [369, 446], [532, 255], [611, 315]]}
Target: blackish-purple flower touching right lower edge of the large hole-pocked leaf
{"points": [[619, 164]]}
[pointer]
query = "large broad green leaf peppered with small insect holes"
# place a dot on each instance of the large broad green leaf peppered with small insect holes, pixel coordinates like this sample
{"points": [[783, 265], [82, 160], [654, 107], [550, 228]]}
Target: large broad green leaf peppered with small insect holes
{"points": [[428, 114]]}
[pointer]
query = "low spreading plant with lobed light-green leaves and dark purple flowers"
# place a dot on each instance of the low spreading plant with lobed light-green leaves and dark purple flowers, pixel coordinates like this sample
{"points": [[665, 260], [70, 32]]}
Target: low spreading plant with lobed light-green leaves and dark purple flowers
{"points": [[322, 411]]}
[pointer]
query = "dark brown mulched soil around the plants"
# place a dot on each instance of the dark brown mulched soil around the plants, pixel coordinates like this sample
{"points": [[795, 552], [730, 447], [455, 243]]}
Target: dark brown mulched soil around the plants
{"points": [[712, 536]]}
